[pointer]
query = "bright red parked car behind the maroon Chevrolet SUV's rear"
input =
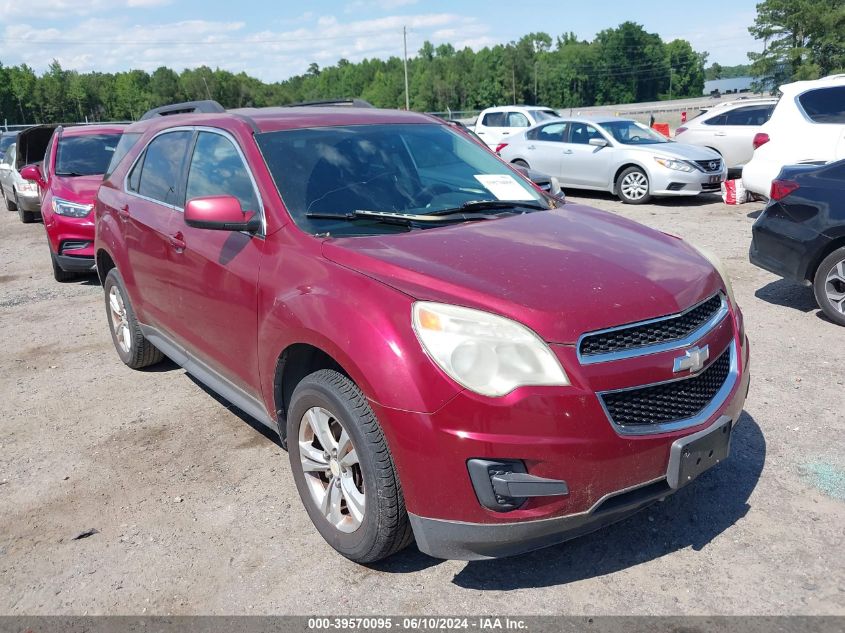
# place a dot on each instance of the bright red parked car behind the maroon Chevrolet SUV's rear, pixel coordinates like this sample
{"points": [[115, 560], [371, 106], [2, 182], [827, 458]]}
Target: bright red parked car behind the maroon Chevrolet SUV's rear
{"points": [[74, 160]]}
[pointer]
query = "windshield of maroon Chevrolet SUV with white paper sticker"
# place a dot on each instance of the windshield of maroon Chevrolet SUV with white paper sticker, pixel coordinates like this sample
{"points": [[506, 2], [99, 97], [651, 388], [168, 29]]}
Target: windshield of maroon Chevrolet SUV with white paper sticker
{"points": [[419, 169]]}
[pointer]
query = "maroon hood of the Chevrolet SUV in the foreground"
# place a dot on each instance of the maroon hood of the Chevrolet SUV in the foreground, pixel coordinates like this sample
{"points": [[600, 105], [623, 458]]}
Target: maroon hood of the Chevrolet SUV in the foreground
{"points": [[561, 273]]}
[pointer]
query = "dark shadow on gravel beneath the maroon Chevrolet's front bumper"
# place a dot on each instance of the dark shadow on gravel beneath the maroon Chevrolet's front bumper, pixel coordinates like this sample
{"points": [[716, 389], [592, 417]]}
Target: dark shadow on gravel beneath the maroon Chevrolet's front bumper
{"points": [[692, 517]]}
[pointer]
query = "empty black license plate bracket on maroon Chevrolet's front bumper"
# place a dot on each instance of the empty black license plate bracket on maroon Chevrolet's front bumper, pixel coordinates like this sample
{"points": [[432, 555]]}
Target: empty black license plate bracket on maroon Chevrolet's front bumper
{"points": [[692, 455]]}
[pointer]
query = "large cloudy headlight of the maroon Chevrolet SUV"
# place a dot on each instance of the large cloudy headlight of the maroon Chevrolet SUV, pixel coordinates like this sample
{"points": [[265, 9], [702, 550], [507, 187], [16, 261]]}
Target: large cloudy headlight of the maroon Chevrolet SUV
{"points": [[487, 354]]}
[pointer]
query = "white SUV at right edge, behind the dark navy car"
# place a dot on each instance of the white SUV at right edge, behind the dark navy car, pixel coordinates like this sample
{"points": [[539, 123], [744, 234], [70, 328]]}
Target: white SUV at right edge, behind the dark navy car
{"points": [[807, 126]]}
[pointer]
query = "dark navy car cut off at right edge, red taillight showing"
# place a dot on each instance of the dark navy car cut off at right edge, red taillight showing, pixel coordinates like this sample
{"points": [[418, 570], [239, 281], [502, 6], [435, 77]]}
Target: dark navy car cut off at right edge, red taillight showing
{"points": [[801, 233]]}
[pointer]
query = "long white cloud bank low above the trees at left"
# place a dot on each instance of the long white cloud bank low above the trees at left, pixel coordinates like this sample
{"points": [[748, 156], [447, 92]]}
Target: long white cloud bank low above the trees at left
{"points": [[116, 44]]}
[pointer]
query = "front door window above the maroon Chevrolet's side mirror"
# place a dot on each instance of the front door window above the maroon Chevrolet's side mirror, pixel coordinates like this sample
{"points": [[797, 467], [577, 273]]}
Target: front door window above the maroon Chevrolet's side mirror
{"points": [[217, 169]]}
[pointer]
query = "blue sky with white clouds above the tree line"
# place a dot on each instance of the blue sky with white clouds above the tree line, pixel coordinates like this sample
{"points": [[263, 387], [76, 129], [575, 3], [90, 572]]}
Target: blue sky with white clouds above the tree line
{"points": [[275, 42]]}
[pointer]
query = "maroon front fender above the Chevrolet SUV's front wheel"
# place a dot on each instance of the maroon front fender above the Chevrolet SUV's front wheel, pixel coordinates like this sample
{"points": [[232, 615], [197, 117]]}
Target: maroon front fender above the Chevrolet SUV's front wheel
{"points": [[361, 323]]}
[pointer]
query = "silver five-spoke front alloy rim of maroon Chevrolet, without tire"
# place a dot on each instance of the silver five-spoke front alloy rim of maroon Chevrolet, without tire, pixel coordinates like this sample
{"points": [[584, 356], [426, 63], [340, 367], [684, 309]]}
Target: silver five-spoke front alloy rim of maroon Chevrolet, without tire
{"points": [[332, 471]]}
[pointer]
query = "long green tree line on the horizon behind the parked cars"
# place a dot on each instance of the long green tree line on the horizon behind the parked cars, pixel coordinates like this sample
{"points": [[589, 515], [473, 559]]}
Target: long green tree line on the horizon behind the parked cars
{"points": [[620, 65]]}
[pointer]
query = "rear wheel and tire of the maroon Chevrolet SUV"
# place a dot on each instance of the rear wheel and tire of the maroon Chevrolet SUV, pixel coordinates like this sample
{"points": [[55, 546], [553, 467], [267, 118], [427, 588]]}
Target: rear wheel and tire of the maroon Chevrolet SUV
{"points": [[131, 345]]}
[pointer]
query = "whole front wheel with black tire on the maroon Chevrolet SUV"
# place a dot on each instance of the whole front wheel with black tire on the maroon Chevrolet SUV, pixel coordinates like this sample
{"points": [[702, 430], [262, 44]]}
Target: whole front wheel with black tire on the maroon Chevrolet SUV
{"points": [[369, 521]]}
